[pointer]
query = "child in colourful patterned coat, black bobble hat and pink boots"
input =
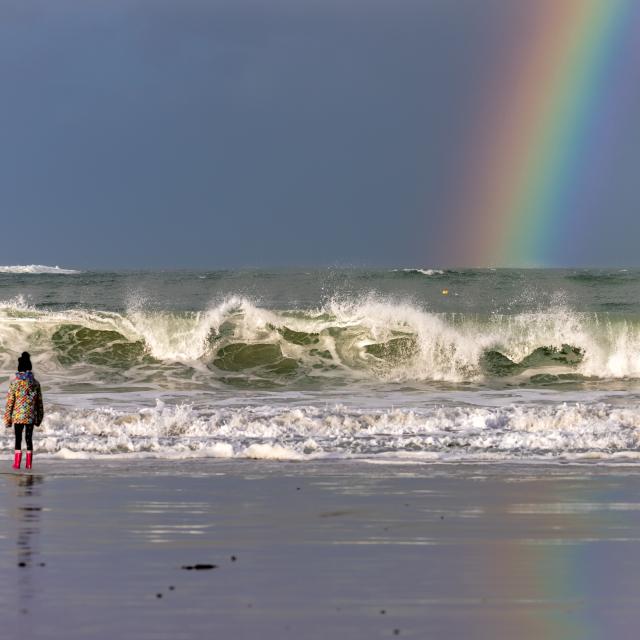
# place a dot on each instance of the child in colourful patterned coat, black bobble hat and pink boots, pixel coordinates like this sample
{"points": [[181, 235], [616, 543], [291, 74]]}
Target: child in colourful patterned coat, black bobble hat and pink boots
{"points": [[24, 408]]}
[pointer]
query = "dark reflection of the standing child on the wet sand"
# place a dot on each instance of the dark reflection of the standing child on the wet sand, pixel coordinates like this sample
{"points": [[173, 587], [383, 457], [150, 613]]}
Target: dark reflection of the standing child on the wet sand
{"points": [[27, 518]]}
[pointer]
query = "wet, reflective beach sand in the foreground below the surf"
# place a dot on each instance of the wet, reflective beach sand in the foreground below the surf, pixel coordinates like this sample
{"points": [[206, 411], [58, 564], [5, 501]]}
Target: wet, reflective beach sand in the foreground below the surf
{"points": [[93, 549]]}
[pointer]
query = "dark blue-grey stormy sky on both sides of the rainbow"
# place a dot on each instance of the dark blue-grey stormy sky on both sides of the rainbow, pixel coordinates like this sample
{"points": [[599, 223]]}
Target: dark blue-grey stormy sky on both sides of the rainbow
{"points": [[223, 133]]}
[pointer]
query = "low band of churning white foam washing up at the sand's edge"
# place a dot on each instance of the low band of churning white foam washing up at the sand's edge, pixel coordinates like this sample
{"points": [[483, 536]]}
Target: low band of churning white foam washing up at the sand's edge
{"points": [[599, 431]]}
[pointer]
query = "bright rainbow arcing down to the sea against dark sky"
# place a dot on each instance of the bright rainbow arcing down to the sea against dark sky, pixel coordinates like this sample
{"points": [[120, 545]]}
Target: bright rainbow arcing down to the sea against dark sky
{"points": [[550, 131]]}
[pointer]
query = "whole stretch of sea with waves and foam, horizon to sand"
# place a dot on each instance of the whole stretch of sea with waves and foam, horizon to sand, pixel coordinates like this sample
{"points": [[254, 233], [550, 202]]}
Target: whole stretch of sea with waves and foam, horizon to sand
{"points": [[385, 365]]}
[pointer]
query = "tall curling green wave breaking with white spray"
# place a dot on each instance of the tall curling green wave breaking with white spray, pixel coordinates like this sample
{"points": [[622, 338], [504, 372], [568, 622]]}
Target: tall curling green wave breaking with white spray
{"points": [[242, 344]]}
